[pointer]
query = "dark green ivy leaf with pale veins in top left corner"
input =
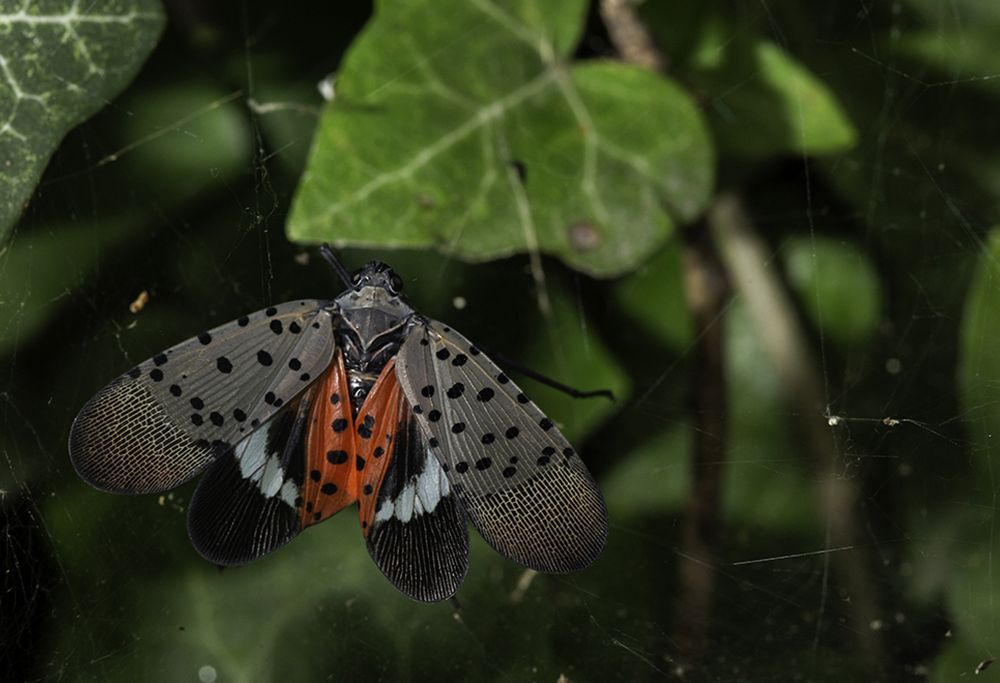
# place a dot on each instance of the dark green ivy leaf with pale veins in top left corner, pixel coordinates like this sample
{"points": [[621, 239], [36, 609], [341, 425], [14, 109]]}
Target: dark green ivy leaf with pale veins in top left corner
{"points": [[60, 63]]}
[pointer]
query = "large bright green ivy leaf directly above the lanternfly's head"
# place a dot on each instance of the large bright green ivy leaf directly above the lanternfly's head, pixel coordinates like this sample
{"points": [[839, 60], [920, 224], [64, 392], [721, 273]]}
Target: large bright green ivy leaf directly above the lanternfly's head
{"points": [[464, 127]]}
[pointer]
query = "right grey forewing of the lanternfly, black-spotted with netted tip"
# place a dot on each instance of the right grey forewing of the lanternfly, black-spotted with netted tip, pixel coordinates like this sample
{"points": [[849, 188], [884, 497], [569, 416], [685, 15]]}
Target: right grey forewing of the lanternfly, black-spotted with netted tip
{"points": [[523, 486]]}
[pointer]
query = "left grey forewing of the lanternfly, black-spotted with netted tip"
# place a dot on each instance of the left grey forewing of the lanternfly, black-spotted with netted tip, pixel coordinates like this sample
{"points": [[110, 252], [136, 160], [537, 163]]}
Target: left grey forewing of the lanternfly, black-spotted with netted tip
{"points": [[165, 420]]}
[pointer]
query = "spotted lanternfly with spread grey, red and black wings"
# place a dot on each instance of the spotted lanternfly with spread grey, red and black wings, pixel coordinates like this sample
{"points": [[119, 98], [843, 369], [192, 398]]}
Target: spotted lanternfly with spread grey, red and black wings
{"points": [[301, 409]]}
